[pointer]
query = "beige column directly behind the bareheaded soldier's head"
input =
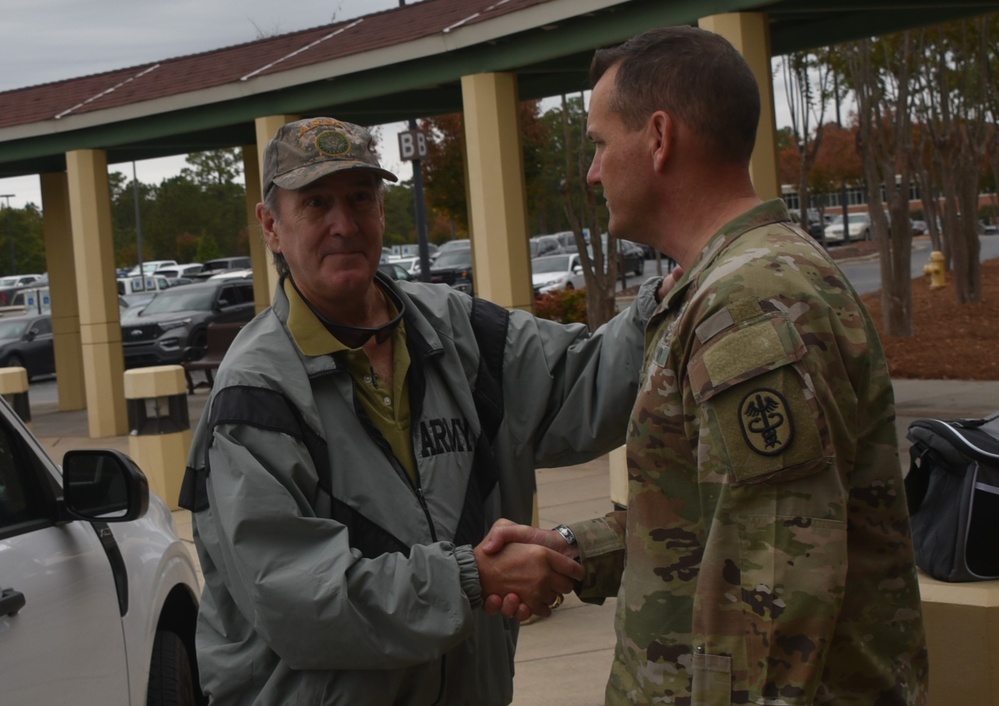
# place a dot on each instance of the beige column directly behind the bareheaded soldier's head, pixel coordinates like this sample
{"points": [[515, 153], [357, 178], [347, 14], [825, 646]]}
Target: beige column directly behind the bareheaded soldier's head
{"points": [[749, 32]]}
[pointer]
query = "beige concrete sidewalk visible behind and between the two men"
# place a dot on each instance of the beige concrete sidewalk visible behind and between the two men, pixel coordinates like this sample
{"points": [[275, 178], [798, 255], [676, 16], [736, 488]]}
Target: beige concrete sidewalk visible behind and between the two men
{"points": [[563, 660]]}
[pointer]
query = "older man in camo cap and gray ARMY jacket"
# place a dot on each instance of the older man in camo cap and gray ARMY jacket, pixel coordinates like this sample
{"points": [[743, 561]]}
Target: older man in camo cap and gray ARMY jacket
{"points": [[361, 438]]}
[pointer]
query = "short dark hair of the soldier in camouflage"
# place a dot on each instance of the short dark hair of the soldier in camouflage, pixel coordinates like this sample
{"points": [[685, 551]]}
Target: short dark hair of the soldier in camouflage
{"points": [[696, 76]]}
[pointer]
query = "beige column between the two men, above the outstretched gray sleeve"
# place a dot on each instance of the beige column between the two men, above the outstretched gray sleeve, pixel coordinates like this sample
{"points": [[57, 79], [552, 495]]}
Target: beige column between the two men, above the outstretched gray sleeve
{"points": [[497, 201]]}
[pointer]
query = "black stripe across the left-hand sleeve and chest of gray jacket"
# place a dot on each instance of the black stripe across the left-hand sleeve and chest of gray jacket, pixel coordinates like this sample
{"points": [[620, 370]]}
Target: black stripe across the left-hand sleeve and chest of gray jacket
{"points": [[267, 409]]}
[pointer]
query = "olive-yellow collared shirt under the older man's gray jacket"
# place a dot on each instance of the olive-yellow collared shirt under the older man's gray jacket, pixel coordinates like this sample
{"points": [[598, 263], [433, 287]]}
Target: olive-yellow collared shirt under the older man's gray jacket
{"points": [[388, 408]]}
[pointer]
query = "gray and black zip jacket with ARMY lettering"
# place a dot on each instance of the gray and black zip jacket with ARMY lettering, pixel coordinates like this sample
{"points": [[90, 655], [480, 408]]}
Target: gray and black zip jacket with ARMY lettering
{"points": [[329, 577]]}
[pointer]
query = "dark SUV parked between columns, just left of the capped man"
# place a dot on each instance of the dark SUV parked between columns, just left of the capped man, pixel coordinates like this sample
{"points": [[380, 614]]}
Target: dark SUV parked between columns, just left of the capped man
{"points": [[177, 318]]}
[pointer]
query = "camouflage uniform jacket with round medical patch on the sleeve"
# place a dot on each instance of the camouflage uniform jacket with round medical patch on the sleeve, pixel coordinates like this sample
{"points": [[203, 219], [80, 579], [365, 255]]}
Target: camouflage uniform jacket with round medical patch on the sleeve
{"points": [[767, 538]]}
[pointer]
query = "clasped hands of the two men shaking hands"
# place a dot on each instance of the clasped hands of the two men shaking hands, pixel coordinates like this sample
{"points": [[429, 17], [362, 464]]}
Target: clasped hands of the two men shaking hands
{"points": [[524, 570]]}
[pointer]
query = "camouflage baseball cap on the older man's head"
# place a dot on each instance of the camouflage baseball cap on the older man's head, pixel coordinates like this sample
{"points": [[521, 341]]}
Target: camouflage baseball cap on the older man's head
{"points": [[306, 150]]}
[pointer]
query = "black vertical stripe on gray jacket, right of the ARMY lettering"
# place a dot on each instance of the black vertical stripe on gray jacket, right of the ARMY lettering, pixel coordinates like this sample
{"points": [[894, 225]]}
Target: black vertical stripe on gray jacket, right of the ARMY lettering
{"points": [[490, 323]]}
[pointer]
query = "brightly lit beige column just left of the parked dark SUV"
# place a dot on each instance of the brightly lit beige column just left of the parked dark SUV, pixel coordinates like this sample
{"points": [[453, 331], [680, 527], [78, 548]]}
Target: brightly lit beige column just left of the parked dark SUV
{"points": [[100, 327]]}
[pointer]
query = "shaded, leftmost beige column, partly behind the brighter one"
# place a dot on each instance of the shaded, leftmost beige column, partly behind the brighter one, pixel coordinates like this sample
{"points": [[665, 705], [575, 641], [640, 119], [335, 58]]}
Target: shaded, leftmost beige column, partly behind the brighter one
{"points": [[60, 262]]}
